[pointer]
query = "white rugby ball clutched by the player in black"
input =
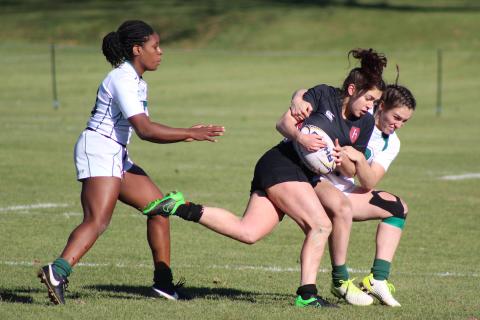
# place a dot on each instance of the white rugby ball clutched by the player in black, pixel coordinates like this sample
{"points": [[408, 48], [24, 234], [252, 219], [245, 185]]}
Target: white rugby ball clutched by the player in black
{"points": [[320, 161]]}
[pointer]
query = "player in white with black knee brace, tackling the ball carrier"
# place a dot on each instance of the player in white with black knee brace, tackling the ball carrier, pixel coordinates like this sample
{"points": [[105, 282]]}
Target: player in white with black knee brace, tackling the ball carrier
{"points": [[363, 202]]}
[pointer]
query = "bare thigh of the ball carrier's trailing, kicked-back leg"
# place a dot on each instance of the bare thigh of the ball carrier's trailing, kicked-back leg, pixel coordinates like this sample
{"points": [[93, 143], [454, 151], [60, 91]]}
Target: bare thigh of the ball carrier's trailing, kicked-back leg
{"points": [[261, 216]]}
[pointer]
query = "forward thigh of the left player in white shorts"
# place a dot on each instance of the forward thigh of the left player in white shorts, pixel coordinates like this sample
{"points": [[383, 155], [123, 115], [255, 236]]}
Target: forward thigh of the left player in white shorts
{"points": [[137, 189]]}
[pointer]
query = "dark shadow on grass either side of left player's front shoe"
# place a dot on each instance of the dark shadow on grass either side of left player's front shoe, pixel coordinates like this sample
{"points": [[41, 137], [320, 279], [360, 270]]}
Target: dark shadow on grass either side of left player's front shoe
{"points": [[189, 293]]}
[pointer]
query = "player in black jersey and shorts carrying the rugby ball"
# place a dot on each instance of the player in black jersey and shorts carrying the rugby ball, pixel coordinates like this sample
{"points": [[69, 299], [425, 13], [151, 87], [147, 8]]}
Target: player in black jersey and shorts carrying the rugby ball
{"points": [[281, 184]]}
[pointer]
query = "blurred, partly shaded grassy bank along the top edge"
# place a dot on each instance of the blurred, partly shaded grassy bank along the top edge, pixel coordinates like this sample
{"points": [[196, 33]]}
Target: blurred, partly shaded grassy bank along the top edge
{"points": [[307, 25]]}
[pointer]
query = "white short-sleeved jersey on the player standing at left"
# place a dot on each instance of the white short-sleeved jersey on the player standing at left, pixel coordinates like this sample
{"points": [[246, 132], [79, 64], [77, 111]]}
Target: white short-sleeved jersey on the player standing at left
{"points": [[122, 94]]}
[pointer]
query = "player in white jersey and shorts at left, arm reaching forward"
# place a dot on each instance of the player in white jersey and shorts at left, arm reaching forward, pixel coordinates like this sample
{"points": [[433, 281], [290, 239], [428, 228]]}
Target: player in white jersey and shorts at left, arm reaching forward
{"points": [[103, 166]]}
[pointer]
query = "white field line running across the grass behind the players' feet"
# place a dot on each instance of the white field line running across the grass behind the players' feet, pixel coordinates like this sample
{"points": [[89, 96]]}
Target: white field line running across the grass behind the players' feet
{"points": [[242, 268]]}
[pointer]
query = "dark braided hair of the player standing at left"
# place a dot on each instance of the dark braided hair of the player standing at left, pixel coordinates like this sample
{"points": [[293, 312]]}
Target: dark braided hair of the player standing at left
{"points": [[117, 45]]}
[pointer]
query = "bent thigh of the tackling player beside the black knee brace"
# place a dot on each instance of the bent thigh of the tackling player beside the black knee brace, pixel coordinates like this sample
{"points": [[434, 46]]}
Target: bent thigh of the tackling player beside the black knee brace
{"points": [[364, 208]]}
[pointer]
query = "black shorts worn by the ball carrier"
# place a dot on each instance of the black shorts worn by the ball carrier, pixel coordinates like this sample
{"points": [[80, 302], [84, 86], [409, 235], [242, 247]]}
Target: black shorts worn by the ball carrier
{"points": [[277, 165]]}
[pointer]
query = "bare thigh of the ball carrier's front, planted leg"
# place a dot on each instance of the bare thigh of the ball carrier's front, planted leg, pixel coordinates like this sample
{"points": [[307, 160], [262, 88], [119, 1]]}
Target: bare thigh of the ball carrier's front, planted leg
{"points": [[299, 201]]}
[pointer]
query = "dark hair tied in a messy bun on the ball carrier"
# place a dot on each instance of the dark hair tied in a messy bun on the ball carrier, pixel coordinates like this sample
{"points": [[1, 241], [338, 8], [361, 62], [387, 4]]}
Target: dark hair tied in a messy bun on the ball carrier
{"points": [[369, 74]]}
